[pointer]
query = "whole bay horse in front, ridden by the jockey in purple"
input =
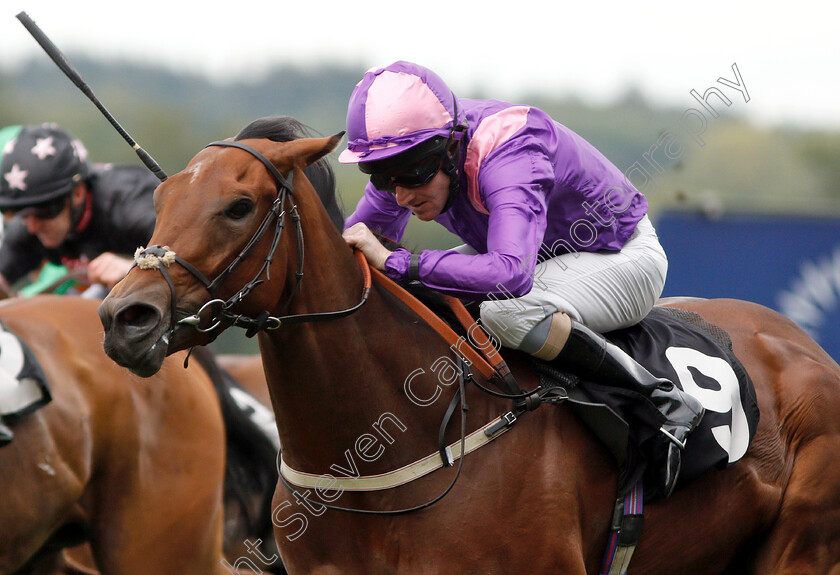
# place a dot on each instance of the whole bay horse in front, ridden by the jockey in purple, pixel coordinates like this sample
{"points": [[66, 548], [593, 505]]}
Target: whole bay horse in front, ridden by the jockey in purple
{"points": [[229, 251]]}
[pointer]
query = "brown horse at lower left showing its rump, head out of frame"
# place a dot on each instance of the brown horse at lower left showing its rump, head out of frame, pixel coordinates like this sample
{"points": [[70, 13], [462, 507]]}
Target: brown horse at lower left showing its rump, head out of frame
{"points": [[117, 474]]}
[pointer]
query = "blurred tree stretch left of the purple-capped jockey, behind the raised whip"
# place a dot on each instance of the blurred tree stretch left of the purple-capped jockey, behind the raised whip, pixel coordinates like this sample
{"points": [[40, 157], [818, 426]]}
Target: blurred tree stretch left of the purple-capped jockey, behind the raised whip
{"points": [[171, 115]]}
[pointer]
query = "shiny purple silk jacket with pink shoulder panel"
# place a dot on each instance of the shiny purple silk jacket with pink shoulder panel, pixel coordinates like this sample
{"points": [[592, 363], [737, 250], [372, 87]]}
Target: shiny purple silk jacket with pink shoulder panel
{"points": [[531, 189]]}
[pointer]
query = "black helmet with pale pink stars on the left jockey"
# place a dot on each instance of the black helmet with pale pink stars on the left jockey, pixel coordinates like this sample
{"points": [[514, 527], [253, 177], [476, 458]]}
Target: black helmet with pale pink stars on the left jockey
{"points": [[39, 164]]}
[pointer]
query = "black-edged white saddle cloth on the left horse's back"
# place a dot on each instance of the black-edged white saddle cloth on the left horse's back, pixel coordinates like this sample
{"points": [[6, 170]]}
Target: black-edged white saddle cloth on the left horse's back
{"points": [[23, 385]]}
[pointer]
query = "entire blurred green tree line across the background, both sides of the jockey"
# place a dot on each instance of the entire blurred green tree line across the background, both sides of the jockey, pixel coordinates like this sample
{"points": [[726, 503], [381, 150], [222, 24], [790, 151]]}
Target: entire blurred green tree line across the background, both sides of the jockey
{"points": [[742, 166]]}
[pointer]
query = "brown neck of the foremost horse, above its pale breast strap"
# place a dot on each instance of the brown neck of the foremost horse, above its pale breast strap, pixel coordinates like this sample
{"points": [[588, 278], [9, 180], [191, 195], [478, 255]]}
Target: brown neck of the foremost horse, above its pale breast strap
{"points": [[333, 381]]}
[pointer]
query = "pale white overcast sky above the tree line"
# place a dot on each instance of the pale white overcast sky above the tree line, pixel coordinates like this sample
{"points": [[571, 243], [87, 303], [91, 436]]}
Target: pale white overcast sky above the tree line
{"points": [[787, 58]]}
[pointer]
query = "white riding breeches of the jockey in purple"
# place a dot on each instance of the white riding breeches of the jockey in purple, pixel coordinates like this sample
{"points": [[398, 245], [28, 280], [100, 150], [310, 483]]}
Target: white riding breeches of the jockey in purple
{"points": [[602, 290]]}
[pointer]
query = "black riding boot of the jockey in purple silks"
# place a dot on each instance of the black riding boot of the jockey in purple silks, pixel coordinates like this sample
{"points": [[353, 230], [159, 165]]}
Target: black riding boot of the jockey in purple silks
{"points": [[589, 355]]}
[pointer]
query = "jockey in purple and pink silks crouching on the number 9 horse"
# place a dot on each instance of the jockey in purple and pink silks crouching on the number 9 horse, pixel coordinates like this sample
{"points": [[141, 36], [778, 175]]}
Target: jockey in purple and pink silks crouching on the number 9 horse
{"points": [[559, 246]]}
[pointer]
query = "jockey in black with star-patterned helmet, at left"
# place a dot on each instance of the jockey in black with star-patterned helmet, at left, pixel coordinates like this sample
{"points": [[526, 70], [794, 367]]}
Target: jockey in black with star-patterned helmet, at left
{"points": [[60, 208]]}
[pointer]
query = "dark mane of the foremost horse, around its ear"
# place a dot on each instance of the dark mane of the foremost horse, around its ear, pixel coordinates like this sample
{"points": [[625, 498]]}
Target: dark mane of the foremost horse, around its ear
{"points": [[286, 129]]}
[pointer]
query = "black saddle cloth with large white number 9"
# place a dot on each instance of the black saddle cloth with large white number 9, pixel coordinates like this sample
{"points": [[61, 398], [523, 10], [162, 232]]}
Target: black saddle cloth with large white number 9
{"points": [[697, 357]]}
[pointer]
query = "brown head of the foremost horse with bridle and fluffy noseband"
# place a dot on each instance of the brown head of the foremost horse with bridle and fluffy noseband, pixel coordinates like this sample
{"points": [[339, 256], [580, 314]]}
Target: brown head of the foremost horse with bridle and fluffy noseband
{"points": [[219, 255]]}
